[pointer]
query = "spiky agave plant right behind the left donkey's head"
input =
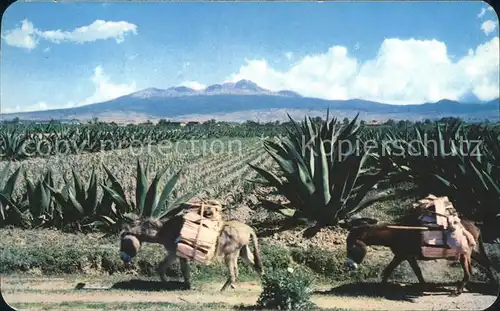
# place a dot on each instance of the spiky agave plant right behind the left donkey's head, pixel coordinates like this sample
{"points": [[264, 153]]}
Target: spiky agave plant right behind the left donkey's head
{"points": [[149, 201]]}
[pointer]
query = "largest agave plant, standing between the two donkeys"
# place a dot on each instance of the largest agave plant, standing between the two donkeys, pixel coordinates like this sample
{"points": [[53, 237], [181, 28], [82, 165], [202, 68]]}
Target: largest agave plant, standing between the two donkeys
{"points": [[321, 172]]}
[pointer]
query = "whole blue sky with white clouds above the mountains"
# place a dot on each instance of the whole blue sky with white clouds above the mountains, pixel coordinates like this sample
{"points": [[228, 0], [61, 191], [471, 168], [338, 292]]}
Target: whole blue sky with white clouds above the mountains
{"points": [[61, 55]]}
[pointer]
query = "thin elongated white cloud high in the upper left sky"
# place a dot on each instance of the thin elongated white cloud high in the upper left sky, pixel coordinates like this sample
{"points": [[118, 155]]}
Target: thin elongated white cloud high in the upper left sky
{"points": [[27, 36]]}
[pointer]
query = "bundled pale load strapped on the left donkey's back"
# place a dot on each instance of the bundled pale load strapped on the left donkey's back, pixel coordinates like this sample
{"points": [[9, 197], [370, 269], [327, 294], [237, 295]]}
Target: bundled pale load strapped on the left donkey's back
{"points": [[199, 234]]}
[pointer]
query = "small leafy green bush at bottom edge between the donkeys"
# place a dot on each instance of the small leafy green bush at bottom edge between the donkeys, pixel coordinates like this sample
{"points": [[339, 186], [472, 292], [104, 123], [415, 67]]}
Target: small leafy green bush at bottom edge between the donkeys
{"points": [[286, 289]]}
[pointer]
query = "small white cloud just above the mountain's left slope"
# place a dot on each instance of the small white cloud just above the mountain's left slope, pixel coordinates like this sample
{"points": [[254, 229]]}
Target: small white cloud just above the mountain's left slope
{"points": [[105, 89]]}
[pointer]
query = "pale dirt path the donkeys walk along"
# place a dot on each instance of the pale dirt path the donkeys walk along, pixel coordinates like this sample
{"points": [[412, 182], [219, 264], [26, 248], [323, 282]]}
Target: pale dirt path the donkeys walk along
{"points": [[57, 291]]}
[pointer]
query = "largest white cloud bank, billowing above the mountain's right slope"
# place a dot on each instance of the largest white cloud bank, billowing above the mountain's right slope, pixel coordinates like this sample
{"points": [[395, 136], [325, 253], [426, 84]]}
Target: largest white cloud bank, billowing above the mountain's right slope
{"points": [[403, 72]]}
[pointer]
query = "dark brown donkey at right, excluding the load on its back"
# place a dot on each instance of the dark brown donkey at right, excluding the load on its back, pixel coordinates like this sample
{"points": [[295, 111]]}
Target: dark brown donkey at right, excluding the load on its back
{"points": [[405, 243]]}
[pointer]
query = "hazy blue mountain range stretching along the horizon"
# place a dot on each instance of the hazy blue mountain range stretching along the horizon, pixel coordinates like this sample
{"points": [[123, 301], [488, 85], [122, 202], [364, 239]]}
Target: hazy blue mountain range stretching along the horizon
{"points": [[245, 100]]}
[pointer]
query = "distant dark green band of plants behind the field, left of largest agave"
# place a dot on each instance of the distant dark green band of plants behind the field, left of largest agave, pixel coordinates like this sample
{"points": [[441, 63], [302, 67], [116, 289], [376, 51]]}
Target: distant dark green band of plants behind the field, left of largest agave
{"points": [[19, 141]]}
